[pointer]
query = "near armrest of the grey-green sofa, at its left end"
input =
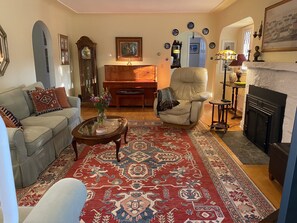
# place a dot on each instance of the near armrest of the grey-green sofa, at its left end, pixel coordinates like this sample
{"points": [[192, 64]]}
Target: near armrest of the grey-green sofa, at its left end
{"points": [[17, 143]]}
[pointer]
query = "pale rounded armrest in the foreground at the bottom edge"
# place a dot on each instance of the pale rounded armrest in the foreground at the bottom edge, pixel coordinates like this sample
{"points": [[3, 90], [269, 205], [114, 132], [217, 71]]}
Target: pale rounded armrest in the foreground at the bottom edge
{"points": [[63, 202]]}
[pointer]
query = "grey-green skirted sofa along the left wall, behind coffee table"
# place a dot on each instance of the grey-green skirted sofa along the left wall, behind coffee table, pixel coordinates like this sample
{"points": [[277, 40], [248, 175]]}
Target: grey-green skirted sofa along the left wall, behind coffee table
{"points": [[42, 138]]}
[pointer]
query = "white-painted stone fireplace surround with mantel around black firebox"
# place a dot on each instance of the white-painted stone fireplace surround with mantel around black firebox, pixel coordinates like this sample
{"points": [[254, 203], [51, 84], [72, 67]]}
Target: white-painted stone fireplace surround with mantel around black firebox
{"points": [[280, 77]]}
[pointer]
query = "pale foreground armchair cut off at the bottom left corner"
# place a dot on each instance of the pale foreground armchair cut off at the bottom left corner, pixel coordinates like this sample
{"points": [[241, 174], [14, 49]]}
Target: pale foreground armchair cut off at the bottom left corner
{"points": [[62, 203]]}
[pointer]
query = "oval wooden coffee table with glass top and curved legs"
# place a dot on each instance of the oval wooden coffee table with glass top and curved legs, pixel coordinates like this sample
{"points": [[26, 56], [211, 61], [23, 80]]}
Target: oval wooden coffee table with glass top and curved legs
{"points": [[90, 134]]}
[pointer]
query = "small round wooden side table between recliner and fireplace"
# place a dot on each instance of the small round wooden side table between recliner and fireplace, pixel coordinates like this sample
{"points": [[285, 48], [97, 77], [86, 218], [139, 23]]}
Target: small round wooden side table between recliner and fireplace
{"points": [[222, 118]]}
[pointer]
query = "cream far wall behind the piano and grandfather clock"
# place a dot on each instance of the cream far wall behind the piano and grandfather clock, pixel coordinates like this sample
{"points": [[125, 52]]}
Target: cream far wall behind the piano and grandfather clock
{"points": [[155, 29]]}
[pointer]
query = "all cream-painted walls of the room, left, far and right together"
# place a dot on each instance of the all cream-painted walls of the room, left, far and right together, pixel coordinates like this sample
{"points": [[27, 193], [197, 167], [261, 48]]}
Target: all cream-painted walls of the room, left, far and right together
{"points": [[18, 17]]}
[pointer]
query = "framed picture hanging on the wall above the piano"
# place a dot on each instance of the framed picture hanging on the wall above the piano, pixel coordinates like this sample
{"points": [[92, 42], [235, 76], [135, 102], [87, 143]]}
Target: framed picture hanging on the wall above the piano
{"points": [[129, 48]]}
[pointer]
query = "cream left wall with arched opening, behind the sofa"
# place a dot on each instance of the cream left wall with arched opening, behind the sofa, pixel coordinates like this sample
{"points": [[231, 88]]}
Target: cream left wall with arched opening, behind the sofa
{"points": [[17, 18]]}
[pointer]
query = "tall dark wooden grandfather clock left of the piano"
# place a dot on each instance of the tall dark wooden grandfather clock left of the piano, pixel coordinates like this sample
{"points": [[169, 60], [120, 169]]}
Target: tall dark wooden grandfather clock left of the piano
{"points": [[87, 68]]}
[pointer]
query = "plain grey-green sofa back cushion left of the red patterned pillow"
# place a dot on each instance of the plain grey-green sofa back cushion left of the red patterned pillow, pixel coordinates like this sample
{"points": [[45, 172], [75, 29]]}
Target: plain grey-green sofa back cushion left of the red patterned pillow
{"points": [[15, 102]]}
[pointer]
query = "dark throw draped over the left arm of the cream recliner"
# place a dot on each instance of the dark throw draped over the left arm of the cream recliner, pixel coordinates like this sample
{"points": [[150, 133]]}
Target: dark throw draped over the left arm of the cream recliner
{"points": [[166, 99]]}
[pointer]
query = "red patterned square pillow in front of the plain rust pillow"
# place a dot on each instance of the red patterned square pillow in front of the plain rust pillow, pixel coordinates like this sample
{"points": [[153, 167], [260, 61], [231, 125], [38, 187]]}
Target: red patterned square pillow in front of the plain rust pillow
{"points": [[44, 101]]}
